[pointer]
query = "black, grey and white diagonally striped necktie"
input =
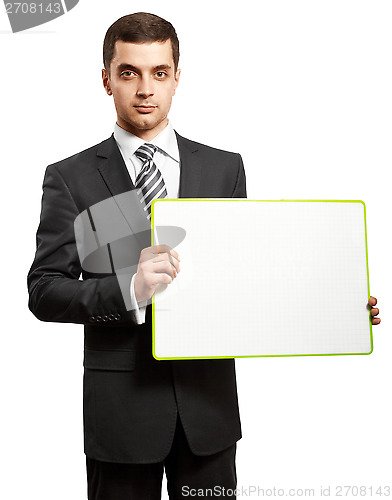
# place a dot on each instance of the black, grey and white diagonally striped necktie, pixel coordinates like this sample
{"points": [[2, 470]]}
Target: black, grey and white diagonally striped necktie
{"points": [[149, 182]]}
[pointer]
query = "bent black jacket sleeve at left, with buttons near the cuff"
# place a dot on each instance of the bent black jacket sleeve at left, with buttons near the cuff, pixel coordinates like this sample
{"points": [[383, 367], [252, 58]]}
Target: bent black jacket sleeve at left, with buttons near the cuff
{"points": [[55, 291]]}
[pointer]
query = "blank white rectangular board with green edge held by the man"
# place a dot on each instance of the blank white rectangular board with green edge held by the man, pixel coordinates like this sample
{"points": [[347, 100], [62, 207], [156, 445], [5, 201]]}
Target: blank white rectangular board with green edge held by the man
{"points": [[262, 278]]}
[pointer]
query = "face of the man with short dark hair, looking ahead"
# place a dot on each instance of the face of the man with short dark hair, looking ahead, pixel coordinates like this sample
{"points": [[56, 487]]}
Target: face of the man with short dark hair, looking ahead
{"points": [[143, 82]]}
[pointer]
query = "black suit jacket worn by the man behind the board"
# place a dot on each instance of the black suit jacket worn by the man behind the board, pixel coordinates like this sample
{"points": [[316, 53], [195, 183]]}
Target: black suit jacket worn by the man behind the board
{"points": [[131, 400]]}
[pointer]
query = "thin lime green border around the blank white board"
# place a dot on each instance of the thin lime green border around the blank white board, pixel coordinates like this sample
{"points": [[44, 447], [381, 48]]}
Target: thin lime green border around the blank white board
{"points": [[162, 200]]}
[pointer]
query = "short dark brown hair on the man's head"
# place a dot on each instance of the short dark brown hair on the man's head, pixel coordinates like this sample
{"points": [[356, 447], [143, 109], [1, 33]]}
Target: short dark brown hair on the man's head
{"points": [[140, 27]]}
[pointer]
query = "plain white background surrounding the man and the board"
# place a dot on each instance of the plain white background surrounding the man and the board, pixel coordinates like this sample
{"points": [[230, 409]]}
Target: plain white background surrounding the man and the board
{"points": [[302, 89]]}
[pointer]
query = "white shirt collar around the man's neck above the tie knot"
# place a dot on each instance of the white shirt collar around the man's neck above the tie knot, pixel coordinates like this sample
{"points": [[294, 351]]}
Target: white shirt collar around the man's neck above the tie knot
{"points": [[166, 141]]}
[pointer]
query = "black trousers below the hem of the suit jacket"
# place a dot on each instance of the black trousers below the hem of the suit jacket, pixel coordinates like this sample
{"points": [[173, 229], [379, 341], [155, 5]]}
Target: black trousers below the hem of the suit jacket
{"points": [[186, 474]]}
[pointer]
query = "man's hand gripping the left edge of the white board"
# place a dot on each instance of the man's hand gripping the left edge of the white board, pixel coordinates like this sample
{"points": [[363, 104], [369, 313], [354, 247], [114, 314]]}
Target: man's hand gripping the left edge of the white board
{"points": [[157, 264]]}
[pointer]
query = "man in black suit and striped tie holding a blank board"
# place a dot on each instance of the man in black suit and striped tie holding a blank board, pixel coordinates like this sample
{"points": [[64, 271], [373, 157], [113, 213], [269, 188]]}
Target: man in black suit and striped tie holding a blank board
{"points": [[141, 416]]}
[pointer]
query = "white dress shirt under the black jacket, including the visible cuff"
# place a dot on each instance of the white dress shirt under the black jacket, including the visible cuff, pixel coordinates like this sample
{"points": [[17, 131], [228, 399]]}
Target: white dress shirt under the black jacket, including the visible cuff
{"points": [[167, 159]]}
